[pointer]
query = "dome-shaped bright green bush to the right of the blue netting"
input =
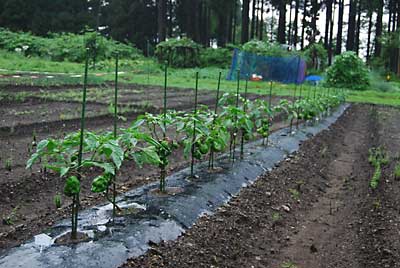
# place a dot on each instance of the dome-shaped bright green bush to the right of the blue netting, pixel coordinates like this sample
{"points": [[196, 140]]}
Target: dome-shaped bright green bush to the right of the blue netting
{"points": [[348, 71]]}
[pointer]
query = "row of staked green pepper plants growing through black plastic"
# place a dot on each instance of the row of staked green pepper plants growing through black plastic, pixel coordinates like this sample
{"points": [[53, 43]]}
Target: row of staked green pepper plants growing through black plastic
{"points": [[201, 133]]}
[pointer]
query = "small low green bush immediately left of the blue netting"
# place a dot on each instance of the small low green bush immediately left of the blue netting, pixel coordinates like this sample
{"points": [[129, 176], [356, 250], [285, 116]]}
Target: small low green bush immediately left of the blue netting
{"points": [[217, 57]]}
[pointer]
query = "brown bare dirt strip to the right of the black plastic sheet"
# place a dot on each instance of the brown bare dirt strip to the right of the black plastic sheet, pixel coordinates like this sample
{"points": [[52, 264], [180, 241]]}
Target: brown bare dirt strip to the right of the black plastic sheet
{"points": [[315, 210]]}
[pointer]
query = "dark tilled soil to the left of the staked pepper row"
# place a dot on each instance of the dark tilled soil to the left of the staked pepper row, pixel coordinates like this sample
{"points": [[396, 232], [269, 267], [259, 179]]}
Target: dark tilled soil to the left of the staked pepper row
{"points": [[27, 196]]}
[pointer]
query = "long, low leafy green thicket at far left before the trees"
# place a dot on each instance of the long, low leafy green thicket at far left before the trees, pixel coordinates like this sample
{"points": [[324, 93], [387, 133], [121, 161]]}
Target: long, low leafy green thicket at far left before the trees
{"points": [[65, 46]]}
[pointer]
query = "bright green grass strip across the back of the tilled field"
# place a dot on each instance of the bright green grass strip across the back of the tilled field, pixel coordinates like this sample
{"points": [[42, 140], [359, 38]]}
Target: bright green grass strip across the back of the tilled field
{"points": [[147, 71]]}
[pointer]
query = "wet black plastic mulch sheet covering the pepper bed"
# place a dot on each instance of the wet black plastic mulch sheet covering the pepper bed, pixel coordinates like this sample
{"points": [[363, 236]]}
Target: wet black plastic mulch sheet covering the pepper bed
{"points": [[154, 218]]}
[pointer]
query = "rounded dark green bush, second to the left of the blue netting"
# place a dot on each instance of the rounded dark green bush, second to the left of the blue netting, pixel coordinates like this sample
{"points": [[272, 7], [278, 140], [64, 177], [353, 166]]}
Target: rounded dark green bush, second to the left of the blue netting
{"points": [[182, 52]]}
